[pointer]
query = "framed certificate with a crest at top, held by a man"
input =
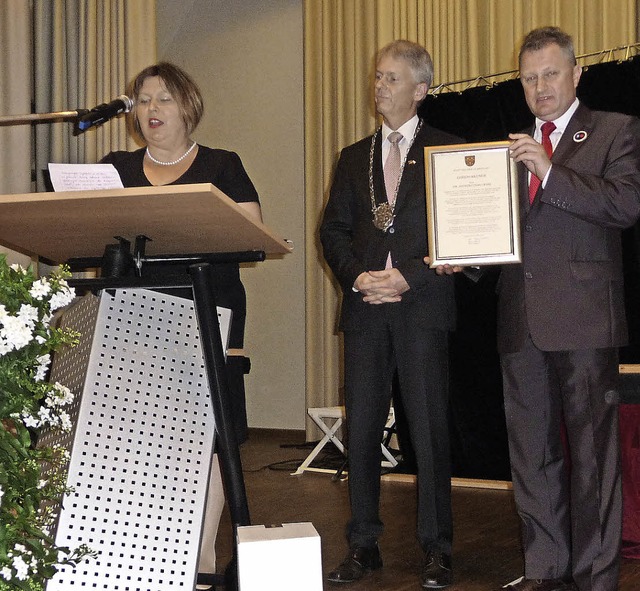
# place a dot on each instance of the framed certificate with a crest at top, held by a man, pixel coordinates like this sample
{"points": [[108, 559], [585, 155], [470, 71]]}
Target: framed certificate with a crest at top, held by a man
{"points": [[472, 204]]}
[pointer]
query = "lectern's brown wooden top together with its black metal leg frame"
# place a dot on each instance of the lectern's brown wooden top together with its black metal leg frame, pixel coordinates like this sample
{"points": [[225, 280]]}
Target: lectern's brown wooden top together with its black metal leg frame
{"points": [[189, 225]]}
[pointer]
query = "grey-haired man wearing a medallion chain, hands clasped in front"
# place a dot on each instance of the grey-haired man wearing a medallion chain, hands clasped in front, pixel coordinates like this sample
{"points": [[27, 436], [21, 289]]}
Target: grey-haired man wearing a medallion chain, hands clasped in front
{"points": [[396, 314]]}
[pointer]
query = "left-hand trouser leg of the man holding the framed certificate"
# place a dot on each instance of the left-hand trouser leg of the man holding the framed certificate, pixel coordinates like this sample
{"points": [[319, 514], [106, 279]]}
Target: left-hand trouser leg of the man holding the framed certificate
{"points": [[540, 484]]}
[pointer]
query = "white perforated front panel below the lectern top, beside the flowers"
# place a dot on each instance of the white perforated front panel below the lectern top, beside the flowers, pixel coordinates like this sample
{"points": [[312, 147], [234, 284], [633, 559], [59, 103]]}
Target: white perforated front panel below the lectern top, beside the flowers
{"points": [[142, 445]]}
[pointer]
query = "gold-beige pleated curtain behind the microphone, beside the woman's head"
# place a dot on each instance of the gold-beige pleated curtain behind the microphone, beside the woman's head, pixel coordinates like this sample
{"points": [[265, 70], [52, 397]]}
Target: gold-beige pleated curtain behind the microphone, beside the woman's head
{"points": [[86, 51]]}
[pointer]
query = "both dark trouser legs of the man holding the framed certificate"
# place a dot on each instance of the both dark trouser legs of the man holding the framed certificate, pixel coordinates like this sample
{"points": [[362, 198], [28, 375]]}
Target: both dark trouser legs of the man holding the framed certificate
{"points": [[541, 387]]}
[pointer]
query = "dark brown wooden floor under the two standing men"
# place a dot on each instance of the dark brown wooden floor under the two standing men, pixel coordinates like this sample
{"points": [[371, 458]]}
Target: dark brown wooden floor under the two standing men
{"points": [[486, 551]]}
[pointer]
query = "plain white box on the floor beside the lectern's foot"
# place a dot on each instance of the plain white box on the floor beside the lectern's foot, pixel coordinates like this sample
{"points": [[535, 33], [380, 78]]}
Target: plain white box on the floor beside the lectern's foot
{"points": [[286, 558]]}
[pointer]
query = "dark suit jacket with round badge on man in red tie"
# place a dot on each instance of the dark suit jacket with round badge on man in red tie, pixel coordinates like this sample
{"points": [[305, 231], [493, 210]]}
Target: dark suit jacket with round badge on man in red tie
{"points": [[568, 293]]}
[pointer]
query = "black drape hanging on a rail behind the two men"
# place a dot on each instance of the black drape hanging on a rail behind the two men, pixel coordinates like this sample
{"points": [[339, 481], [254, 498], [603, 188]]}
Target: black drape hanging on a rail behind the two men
{"points": [[479, 443]]}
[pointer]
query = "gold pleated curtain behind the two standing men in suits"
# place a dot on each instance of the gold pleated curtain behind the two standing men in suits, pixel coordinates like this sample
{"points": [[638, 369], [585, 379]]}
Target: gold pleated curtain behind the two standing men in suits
{"points": [[466, 38]]}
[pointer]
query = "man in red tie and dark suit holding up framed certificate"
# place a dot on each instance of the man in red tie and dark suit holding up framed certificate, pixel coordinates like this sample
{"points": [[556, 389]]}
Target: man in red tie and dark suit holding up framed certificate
{"points": [[561, 320]]}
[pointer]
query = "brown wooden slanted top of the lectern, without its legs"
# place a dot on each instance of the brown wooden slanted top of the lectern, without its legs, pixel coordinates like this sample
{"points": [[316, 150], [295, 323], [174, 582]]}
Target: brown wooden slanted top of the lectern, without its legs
{"points": [[179, 219]]}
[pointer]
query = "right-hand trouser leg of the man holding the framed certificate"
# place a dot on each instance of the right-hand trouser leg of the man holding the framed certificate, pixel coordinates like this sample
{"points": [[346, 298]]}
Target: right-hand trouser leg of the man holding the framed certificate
{"points": [[590, 403]]}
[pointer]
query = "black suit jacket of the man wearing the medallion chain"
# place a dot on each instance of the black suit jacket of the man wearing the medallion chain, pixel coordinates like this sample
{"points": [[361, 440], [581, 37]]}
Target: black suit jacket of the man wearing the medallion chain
{"points": [[352, 245]]}
